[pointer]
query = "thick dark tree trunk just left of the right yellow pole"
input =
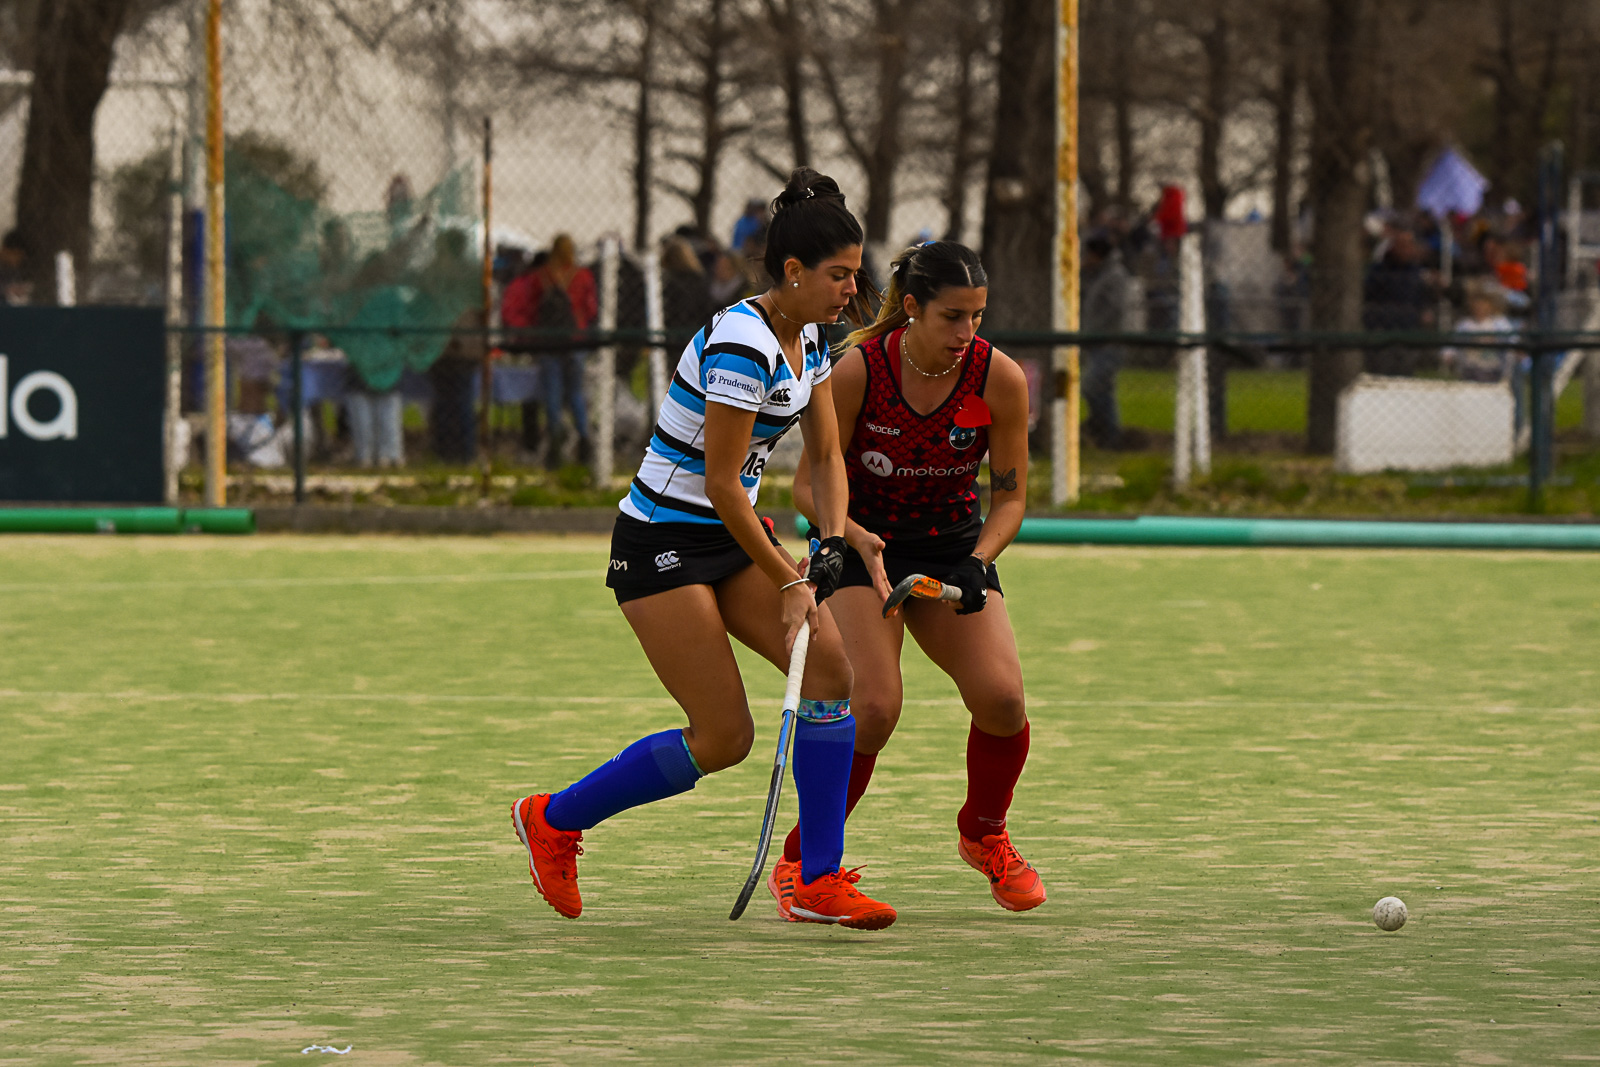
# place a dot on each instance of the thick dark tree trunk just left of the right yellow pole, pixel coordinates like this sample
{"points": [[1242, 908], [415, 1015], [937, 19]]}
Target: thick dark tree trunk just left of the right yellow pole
{"points": [[1020, 206]]}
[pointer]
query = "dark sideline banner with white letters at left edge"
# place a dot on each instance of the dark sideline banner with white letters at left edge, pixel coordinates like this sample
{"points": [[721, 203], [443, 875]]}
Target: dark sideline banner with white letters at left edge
{"points": [[82, 396]]}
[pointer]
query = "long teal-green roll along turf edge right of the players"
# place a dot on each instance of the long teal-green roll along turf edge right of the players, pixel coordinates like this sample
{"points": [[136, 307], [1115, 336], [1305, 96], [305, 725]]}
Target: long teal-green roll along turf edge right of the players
{"points": [[1308, 533]]}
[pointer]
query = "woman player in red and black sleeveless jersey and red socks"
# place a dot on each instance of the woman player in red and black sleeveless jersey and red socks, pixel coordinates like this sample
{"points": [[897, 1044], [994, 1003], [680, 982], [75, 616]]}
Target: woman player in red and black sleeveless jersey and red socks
{"points": [[921, 399]]}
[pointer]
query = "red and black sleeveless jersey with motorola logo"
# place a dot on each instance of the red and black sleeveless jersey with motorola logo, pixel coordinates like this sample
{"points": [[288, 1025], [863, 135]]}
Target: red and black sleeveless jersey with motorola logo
{"points": [[914, 478]]}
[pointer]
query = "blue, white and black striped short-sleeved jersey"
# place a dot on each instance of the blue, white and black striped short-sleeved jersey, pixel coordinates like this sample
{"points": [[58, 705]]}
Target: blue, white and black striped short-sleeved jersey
{"points": [[735, 361]]}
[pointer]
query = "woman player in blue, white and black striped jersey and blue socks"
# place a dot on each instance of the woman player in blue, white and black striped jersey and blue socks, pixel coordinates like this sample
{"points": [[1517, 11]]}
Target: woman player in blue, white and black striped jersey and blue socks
{"points": [[692, 565]]}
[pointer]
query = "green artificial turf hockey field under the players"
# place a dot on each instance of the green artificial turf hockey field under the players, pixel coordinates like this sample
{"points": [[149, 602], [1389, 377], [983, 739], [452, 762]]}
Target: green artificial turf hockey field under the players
{"points": [[255, 797]]}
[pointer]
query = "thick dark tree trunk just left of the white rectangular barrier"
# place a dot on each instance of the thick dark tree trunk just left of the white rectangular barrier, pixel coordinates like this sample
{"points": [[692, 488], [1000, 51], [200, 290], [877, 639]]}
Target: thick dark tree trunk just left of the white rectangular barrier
{"points": [[1340, 178]]}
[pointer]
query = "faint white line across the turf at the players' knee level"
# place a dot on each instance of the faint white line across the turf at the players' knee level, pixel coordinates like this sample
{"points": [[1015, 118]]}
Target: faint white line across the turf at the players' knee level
{"points": [[534, 698]]}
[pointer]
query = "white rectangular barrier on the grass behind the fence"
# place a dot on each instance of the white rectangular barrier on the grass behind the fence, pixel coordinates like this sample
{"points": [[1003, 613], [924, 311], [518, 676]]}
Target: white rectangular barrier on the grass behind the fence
{"points": [[1422, 425]]}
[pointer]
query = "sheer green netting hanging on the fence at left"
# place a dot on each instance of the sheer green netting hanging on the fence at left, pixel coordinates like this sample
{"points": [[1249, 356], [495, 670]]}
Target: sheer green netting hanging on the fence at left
{"points": [[297, 265]]}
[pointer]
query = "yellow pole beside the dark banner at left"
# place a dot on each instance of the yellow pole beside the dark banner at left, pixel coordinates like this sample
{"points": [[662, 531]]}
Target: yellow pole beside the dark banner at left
{"points": [[215, 270]]}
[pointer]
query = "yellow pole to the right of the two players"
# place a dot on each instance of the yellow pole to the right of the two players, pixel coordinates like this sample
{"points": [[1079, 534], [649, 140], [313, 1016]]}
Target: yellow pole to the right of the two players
{"points": [[1066, 414]]}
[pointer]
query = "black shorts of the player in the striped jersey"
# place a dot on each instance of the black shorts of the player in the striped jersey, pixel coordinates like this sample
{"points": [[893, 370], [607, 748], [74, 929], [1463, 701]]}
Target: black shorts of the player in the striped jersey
{"points": [[650, 559]]}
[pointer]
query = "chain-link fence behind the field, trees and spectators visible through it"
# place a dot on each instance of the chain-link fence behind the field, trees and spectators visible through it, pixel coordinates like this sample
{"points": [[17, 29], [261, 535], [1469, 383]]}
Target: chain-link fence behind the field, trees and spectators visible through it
{"points": [[1327, 201]]}
